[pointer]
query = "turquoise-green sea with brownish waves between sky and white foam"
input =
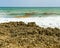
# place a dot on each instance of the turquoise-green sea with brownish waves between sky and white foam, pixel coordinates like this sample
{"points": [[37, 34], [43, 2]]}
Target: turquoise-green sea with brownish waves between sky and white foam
{"points": [[11, 12]]}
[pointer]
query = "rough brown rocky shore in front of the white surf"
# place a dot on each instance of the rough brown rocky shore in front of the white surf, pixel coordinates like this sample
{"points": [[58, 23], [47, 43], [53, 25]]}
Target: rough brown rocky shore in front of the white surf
{"points": [[22, 35]]}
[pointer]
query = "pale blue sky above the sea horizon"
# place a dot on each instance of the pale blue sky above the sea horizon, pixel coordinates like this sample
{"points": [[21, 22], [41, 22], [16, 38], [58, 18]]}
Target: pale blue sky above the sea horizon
{"points": [[29, 3]]}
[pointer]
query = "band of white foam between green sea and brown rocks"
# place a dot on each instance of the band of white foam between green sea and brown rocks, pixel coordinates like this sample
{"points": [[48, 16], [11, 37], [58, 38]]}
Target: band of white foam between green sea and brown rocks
{"points": [[51, 21]]}
